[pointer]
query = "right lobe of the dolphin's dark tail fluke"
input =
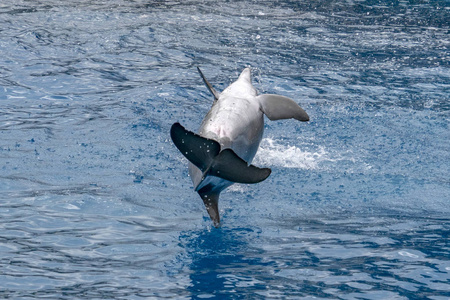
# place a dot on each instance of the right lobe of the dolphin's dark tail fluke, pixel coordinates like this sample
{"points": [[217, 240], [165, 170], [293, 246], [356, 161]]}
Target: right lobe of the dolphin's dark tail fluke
{"points": [[229, 166]]}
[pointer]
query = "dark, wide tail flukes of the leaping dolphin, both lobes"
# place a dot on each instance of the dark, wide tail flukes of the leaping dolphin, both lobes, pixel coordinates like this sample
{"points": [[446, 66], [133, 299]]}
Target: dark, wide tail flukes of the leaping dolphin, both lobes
{"points": [[205, 154]]}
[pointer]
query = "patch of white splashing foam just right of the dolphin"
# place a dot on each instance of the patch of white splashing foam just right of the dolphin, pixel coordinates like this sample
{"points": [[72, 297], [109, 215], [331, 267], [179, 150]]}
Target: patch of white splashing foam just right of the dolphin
{"points": [[274, 153]]}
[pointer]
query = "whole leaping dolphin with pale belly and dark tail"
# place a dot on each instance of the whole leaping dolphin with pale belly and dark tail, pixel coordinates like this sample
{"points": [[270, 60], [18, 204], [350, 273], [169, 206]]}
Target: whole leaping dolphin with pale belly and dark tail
{"points": [[229, 136]]}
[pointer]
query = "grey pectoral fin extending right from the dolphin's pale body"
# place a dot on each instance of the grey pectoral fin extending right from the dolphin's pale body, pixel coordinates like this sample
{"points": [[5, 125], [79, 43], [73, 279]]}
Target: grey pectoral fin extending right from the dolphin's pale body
{"points": [[277, 107]]}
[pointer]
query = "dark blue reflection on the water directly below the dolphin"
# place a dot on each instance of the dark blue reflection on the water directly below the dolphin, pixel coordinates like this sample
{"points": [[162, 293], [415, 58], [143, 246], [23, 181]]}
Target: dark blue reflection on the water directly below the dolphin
{"points": [[218, 259]]}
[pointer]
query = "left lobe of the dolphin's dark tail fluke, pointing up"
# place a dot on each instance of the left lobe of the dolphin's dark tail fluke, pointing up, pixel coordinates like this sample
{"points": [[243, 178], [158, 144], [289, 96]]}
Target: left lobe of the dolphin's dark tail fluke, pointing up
{"points": [[198, 150]]}
